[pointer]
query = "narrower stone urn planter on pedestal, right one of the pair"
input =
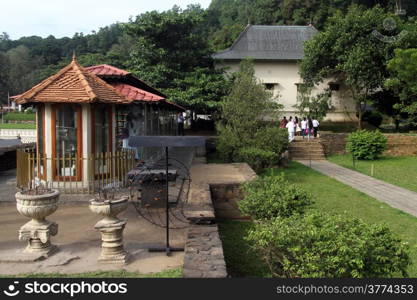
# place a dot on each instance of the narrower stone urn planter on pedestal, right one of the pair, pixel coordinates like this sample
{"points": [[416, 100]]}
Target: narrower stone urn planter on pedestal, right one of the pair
{"points": [[111, 229]]}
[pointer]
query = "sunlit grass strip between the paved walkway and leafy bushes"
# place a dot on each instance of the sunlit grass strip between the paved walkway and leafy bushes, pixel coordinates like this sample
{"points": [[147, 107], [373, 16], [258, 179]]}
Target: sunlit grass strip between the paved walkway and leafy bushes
{"points": [[334, 197]]}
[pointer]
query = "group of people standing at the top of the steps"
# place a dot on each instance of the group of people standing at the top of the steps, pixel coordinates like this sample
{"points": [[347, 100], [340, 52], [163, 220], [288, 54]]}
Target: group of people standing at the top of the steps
{"points": [[306, 127]]}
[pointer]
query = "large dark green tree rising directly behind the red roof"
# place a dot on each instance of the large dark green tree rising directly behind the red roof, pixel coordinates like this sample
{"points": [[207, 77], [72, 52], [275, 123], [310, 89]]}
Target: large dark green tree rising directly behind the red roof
{"points": [[167, 46]]}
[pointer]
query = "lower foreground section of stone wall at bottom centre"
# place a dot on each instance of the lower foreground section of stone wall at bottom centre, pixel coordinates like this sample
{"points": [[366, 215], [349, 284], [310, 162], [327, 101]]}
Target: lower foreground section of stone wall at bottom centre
{"points": [[203, 256]]}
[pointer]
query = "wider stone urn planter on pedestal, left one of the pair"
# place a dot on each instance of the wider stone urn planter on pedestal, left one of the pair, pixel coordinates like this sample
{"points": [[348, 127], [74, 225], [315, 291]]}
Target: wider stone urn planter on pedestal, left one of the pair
{"points": [[37, 205]]}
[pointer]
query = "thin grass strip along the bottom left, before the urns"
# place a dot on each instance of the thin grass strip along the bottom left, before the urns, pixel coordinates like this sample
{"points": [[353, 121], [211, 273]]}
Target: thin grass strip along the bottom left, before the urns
{"points": [[172, 273]]}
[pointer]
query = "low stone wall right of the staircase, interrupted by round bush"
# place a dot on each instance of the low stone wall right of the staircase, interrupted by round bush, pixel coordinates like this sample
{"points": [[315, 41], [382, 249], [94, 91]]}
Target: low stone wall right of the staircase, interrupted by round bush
{"points": [[397, 145]]}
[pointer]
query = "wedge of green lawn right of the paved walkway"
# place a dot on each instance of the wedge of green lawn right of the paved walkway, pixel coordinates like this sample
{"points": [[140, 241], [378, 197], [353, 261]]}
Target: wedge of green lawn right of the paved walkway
{"points": [[401, 171]]}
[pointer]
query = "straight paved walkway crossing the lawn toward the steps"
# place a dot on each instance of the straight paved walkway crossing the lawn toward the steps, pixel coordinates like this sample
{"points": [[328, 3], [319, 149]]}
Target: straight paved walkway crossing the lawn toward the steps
{"points": [[394, 196]]}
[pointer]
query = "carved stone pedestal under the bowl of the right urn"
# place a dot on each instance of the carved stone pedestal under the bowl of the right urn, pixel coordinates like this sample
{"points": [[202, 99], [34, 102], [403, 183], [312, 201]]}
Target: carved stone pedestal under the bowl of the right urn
{"points": [[112, 250]]}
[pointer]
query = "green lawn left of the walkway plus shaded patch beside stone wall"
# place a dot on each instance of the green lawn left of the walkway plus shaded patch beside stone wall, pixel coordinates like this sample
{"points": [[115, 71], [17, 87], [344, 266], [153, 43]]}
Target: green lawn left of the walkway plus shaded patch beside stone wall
{"points": [[330, 196]]}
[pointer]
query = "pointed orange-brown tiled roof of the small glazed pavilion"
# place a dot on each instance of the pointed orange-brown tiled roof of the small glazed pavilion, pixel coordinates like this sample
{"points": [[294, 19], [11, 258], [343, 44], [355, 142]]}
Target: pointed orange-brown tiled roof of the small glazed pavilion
{"points": [[72, 84]]}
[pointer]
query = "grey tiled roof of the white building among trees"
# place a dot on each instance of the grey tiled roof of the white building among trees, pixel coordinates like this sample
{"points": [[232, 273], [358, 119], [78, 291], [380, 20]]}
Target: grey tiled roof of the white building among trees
{"points": [[269, 43]]}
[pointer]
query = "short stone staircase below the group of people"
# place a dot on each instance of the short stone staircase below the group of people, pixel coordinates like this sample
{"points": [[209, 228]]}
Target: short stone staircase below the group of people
{"points": [[304, 149]]}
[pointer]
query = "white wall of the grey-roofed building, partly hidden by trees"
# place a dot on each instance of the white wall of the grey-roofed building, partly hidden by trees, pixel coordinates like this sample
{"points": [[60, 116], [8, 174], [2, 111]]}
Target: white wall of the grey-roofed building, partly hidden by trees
{"points": [[285, 75]]}
